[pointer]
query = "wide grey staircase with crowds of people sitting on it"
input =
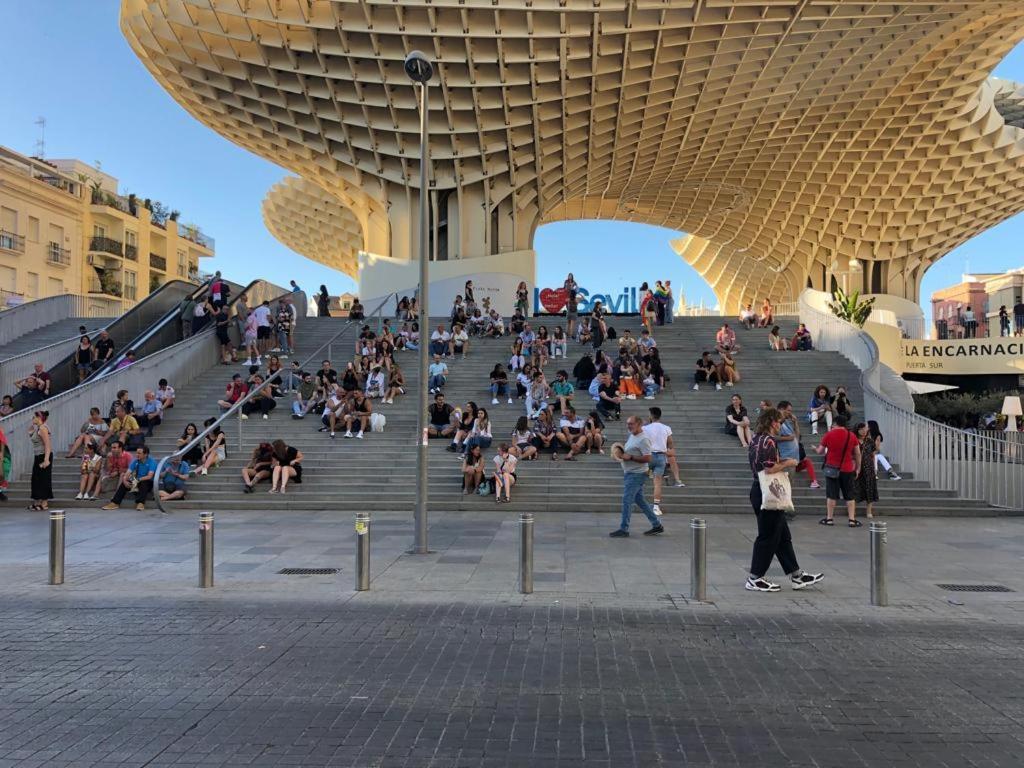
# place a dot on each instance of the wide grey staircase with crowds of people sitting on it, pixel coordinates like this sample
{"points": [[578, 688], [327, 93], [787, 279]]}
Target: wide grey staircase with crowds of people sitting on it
{"points": [[378, 474]]}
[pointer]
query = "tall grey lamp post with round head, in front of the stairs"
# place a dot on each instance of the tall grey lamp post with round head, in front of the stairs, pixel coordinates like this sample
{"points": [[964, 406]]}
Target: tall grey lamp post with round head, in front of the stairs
{"points": [[420, 71]]}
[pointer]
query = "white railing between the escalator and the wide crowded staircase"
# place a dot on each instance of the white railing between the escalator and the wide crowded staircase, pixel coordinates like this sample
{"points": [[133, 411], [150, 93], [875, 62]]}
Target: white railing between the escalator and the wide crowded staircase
{"points": [[181, 364]]}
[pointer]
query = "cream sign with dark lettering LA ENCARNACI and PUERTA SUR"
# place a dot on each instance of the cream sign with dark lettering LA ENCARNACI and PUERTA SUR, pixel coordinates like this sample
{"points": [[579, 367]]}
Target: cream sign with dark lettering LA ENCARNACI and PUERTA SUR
{"points": [[964, 357]]}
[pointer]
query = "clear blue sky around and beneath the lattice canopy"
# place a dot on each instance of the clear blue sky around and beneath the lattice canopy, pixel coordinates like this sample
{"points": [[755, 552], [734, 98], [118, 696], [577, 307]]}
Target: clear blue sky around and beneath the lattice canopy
{"points": [[67, 61]]}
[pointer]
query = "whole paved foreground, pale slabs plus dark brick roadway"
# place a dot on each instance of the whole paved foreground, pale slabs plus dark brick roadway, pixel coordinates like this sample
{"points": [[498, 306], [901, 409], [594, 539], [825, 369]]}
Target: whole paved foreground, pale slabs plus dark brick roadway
{"points": [[444, 664]]}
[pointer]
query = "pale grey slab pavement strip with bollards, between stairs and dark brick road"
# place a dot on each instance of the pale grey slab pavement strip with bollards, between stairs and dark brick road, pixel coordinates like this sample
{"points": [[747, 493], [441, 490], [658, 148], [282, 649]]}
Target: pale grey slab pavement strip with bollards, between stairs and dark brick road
{"points": [[127, 557]]}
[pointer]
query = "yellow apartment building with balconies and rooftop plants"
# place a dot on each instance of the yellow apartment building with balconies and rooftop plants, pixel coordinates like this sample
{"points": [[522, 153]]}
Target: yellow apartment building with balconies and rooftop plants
{"points": [[66, 229]]}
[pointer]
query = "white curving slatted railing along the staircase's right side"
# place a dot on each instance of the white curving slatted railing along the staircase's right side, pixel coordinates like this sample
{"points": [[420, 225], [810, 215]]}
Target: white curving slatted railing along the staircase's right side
{"points": [[973, 466]]}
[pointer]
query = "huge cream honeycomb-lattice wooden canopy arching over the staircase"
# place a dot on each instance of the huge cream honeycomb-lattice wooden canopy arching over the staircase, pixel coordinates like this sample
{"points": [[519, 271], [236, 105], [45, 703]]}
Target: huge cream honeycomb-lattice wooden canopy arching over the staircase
{"points": [[788, 138]]}
